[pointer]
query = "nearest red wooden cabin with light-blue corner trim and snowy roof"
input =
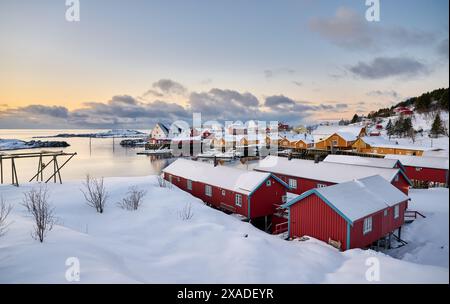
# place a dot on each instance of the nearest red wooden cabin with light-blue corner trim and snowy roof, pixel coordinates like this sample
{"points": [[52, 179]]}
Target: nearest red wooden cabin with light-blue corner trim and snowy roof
{"points": [[353, 214]]}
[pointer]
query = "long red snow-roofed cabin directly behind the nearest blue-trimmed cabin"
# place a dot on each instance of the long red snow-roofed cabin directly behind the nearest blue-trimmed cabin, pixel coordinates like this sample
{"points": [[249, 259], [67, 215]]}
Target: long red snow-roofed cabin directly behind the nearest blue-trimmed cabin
{"points": [[304, 175]]}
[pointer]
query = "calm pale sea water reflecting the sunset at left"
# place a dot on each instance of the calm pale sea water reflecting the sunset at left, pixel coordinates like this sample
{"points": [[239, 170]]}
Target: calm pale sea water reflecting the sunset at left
{"points": [[100, 157]]}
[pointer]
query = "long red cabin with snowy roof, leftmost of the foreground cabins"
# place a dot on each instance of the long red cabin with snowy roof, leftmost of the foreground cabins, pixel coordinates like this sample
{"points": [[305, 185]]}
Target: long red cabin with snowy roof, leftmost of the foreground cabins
{"points": [[248, 193]]}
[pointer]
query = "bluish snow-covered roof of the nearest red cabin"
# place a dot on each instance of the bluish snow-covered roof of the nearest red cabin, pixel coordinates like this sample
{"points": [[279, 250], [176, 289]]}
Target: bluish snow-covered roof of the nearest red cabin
{"points": [[360, 198]]}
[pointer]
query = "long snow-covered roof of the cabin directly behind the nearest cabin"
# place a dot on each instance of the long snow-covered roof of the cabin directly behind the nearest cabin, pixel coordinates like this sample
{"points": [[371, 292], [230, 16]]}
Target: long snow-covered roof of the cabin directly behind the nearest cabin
{"points": [[327, 172]]}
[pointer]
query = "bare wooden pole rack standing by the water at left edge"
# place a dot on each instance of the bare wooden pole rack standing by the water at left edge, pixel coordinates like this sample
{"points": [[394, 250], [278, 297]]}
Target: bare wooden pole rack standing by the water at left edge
{"points": [[44, 159]]}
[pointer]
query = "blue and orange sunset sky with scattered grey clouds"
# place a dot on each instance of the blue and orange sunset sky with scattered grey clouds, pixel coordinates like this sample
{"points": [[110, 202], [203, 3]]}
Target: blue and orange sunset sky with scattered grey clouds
{"points": [[132, 63]]}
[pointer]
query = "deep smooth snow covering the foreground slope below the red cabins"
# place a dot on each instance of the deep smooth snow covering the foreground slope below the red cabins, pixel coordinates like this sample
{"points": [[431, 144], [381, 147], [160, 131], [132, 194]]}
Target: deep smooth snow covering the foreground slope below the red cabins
{"points": [[155, 245]]}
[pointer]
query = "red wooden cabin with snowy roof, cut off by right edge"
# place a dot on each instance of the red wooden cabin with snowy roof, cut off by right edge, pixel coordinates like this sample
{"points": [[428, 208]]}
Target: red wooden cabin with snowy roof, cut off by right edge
{"points": [[424, 168]]}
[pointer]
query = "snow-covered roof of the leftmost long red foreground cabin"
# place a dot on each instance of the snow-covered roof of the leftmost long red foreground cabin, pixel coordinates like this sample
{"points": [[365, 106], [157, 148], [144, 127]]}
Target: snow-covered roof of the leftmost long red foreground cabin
{"points": [[238, 180]]}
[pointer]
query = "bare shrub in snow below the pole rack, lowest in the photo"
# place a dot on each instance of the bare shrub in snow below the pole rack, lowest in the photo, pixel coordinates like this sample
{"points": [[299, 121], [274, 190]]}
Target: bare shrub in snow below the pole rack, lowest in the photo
{"points": [[37, 205]]}
